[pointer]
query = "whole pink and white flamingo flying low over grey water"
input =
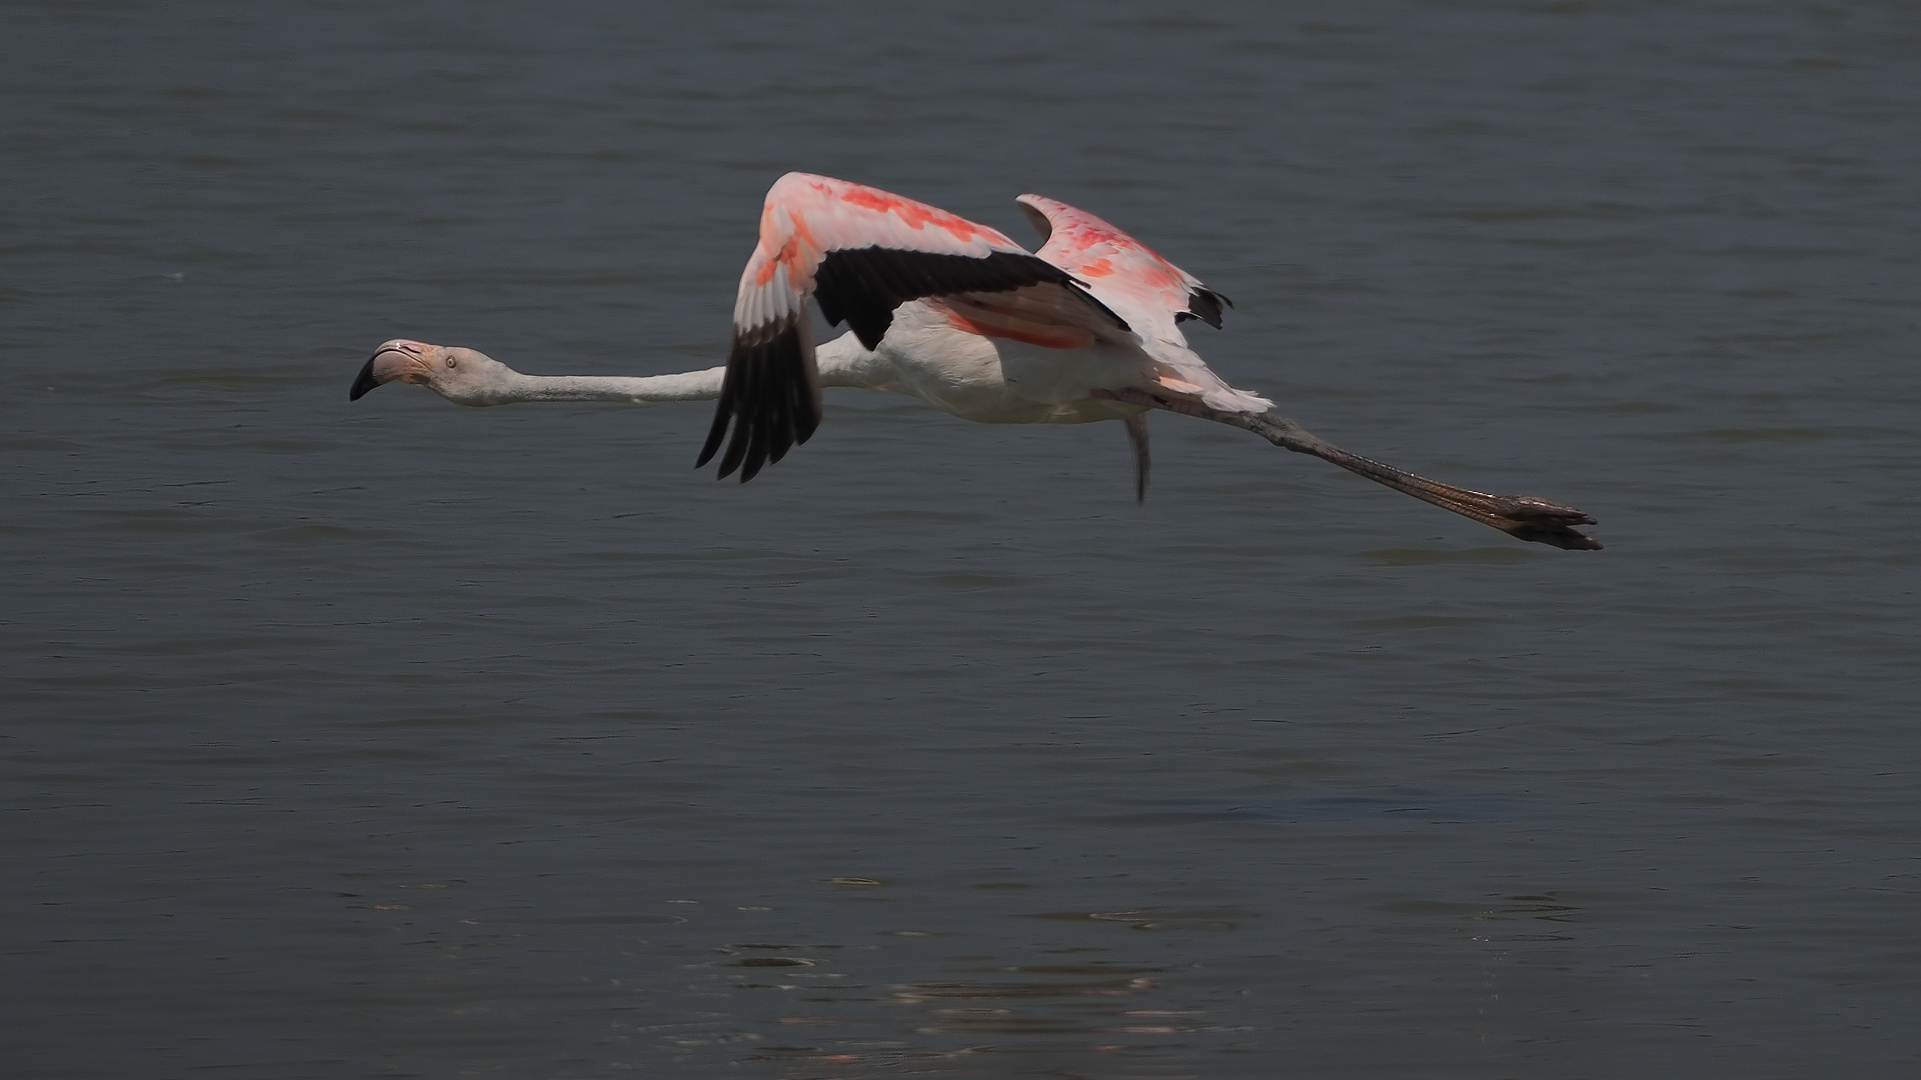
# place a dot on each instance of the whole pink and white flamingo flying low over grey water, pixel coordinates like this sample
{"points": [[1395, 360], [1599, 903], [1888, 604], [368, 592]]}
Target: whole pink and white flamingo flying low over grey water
{"points": [[956, 314]]}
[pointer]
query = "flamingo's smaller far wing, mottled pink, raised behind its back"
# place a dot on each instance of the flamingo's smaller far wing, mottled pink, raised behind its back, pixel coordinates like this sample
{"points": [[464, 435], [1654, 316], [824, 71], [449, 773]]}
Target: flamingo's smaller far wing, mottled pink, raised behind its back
{"points": [[1117, 268]]}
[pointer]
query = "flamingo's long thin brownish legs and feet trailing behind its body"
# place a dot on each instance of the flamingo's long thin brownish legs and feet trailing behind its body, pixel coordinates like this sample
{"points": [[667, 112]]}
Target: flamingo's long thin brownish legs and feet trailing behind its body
{"points": [[1524, 518]]}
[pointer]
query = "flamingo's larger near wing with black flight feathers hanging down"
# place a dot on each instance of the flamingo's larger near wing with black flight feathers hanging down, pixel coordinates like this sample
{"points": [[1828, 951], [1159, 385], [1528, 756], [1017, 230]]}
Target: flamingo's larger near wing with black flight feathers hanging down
{"points": [[860, 253]]}
